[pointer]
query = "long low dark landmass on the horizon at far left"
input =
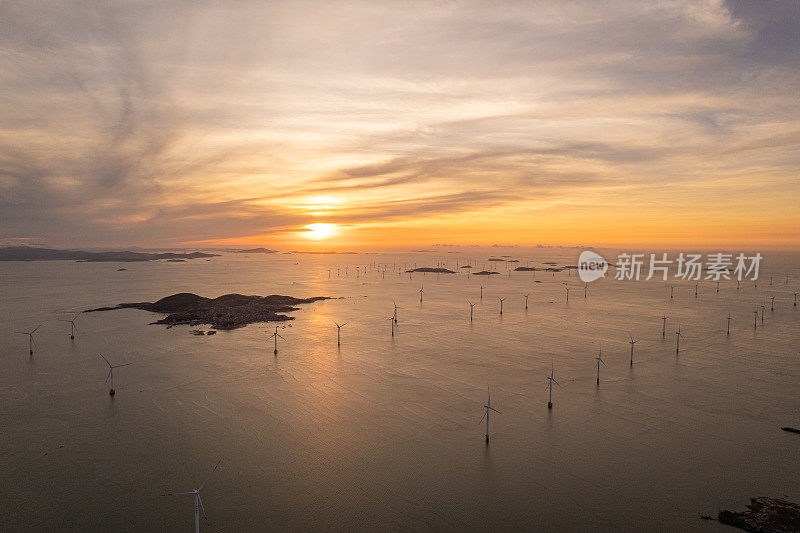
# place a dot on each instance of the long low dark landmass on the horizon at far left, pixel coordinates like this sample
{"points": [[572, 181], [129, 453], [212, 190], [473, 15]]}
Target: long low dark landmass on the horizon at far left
{"points": [[27, 253]]}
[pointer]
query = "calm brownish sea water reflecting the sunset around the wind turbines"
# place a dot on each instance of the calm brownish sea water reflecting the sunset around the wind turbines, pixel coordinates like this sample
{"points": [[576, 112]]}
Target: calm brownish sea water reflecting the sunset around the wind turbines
{"points": [[385, 433]]}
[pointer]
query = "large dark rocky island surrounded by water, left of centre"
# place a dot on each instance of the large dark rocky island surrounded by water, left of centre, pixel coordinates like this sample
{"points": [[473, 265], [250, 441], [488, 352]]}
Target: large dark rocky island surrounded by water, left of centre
{"points": [[225, 312]]}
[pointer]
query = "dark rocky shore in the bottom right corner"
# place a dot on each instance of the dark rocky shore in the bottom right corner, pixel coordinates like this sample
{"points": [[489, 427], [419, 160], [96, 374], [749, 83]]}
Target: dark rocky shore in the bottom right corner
{"points": [[764, 515]]}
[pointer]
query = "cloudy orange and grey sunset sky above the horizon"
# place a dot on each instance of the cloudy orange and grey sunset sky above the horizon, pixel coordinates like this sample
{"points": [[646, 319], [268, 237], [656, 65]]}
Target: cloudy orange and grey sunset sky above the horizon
{"points": [[375, 125]]}
